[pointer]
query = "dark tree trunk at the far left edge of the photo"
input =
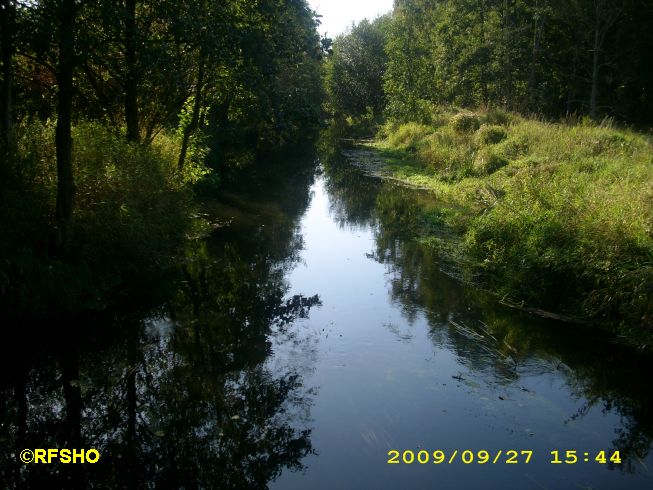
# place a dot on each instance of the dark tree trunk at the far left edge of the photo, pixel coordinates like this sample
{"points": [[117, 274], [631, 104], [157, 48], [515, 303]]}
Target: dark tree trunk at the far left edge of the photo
{"points": [[6, 104]]}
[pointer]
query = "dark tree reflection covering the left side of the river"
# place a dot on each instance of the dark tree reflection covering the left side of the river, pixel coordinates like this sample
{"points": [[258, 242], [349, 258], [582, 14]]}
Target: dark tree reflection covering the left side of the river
{"points": [[179, 393]]}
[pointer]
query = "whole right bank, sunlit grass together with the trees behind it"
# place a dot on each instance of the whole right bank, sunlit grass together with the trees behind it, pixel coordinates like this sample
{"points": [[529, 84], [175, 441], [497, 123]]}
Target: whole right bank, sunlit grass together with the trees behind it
{"points": [[530, 121]]}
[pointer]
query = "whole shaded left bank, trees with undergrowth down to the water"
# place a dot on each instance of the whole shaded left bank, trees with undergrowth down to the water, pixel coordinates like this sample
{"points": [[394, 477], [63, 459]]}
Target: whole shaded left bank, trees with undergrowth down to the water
{"points": [[113, 113]]}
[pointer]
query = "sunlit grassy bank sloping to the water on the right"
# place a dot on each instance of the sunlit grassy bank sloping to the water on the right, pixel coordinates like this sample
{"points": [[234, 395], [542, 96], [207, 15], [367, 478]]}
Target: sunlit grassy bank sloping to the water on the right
{"points": [[557, 216]]}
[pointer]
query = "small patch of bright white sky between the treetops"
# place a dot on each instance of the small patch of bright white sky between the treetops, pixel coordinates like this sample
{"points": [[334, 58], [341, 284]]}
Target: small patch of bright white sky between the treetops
{"points": [[337, 15]]}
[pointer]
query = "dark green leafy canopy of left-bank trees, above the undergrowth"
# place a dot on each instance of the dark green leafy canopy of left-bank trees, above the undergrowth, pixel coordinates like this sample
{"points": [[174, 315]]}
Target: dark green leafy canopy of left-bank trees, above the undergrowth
{"points": [[262, 67]]}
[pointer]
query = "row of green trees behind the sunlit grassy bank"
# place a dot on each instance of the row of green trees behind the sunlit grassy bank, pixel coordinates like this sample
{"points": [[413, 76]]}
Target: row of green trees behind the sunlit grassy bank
{"points": [[547, 57]]}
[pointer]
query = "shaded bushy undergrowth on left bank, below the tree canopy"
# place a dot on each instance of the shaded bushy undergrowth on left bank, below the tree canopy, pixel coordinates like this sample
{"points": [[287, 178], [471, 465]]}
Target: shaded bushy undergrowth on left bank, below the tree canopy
{"points": [[132, 210]]}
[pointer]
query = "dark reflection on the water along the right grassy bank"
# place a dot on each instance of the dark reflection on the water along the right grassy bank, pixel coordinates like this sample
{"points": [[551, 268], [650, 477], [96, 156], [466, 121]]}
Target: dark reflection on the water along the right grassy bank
{"points": [[496, 346]]}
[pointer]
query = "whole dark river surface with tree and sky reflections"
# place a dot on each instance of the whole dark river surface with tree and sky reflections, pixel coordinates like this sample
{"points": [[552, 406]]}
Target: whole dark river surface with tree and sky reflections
{"points": [[301, 340]]}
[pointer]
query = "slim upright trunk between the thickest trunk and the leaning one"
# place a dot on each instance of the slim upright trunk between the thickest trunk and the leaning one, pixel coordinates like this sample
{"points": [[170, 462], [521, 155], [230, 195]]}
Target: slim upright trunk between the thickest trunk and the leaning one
{"points": [[131, 76]]}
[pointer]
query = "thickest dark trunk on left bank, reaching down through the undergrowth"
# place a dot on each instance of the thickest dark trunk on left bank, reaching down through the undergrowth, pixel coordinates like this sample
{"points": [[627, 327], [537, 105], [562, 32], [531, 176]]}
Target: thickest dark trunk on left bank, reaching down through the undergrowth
{"points": [[65, 183]]}
